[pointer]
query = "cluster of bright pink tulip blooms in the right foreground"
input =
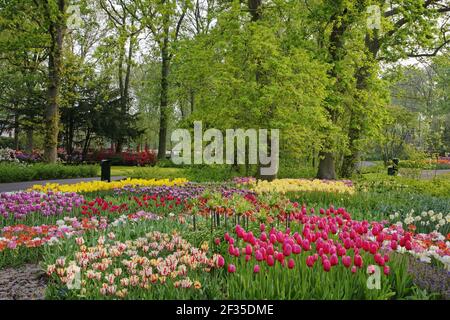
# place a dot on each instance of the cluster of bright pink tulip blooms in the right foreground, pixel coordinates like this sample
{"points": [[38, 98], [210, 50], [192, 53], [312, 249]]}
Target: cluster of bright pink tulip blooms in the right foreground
{"points": [[329, 239]]}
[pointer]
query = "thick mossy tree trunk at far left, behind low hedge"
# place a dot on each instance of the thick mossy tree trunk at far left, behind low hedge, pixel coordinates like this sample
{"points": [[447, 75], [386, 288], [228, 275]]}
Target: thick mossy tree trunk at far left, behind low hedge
{"points": [[56, 31]]}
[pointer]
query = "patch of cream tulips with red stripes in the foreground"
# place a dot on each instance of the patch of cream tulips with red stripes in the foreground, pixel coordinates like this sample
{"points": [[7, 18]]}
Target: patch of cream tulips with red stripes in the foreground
{"points": [[149, 267]]}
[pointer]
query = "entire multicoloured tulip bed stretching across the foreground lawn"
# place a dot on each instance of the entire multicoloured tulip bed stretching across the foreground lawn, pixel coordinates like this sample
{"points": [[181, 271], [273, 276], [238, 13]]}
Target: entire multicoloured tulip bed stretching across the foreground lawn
{"points": [[171, 239]]}
